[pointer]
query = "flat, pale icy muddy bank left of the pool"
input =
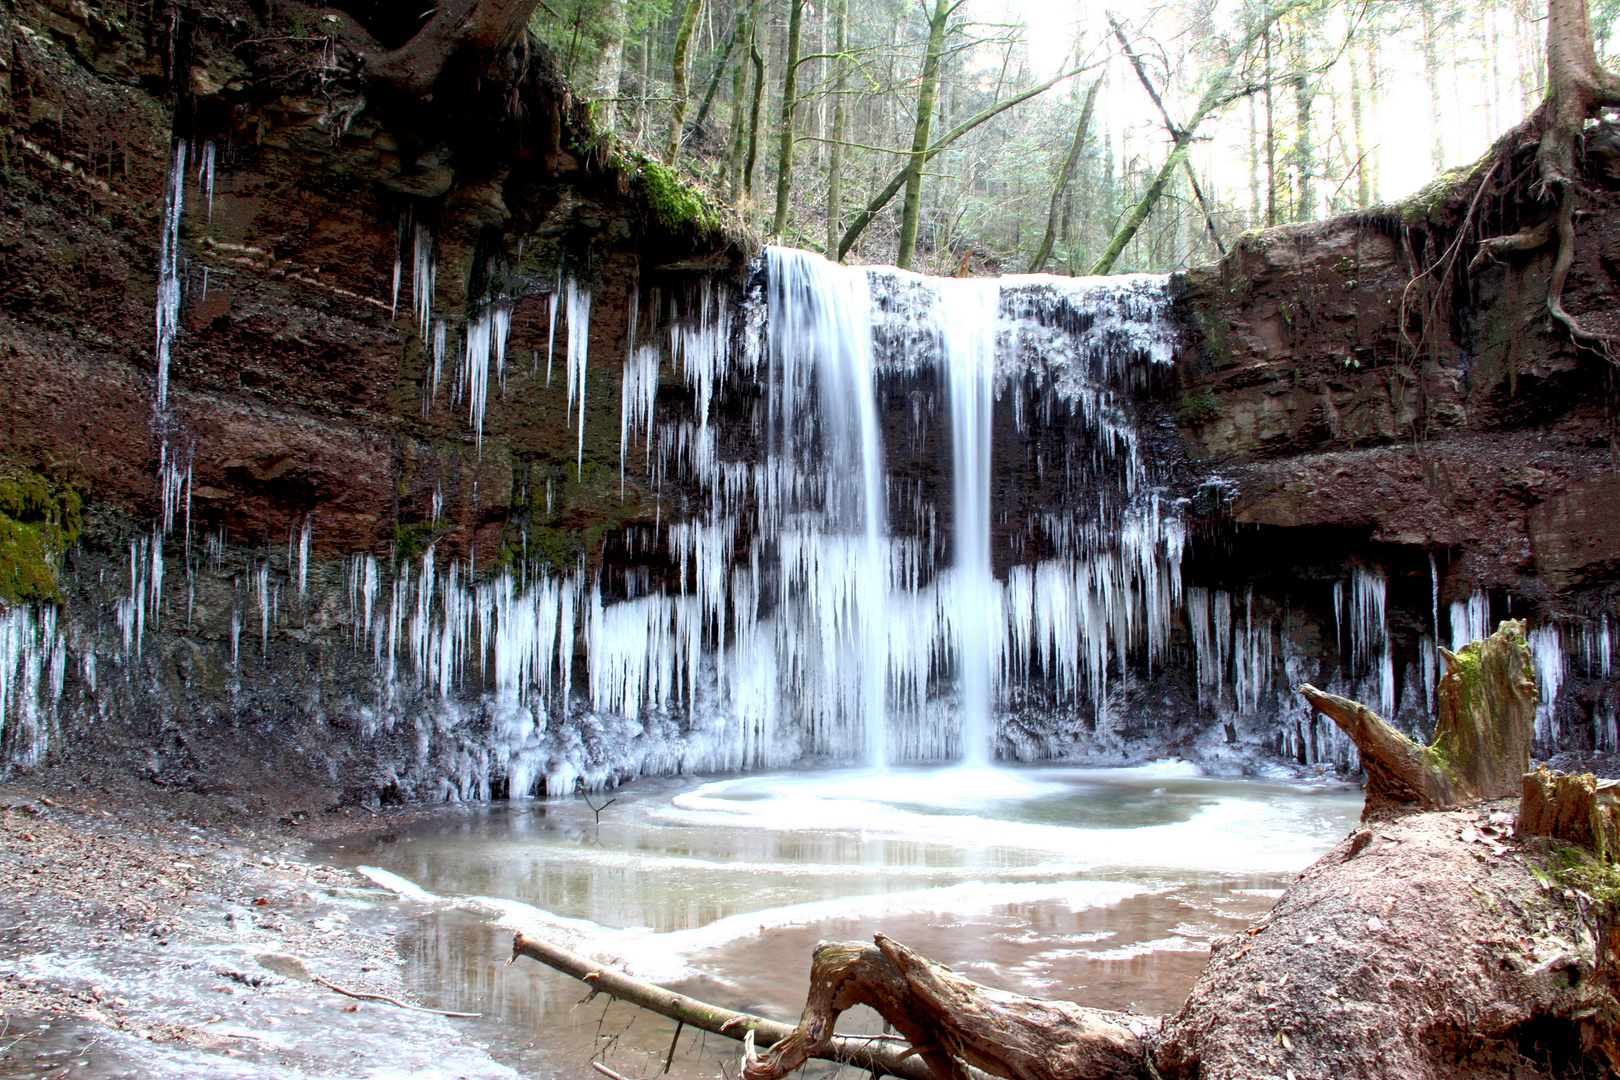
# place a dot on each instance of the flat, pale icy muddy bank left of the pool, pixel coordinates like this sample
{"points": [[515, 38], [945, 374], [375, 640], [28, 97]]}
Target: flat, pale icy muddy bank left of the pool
{"points": [[140, 938]]}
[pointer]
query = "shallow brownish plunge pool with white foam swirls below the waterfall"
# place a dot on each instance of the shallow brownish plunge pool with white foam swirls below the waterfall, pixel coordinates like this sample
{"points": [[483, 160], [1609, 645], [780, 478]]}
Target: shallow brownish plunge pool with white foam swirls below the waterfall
{"points": [[1102, 887]]}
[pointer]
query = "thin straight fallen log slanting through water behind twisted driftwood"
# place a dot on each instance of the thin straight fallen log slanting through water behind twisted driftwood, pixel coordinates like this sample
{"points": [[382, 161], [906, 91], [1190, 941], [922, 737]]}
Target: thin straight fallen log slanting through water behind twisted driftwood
{"points": [[880, 1057]]}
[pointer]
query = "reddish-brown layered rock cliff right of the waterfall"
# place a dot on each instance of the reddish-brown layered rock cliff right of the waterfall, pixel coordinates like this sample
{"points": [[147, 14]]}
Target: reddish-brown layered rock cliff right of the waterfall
{"points": [[1362, 396]]}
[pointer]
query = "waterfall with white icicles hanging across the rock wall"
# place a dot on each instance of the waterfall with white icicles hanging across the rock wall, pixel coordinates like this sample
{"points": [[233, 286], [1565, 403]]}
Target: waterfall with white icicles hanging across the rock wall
{"points": [[822, 602]]}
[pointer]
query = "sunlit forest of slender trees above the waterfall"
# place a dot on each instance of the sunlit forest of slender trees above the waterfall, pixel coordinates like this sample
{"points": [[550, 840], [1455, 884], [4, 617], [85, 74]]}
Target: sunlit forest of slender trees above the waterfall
{"points": [[1017, 135]]}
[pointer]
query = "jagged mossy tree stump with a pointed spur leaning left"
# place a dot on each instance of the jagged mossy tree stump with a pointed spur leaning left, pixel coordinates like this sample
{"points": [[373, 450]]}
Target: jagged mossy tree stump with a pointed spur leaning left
{"points": [[1481, 744]]}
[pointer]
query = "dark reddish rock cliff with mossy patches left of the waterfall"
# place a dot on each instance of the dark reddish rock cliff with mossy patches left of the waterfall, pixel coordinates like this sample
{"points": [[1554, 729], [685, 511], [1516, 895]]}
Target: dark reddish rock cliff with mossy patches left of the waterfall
{"points": [[325, 244]]}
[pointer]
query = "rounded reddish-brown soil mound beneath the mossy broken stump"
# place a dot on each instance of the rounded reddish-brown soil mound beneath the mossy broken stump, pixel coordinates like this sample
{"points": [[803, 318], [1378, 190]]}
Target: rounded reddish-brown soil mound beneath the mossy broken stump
{"points": [[1422, 946]]}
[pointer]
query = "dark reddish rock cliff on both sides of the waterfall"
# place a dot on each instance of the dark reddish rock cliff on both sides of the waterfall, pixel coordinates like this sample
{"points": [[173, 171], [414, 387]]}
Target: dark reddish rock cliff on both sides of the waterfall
{"points": [[203, 587]]}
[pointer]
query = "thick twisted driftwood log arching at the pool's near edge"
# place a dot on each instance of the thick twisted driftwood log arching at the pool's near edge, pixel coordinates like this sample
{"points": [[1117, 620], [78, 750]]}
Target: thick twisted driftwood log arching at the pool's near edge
{"points": [[953, 1023]]}
